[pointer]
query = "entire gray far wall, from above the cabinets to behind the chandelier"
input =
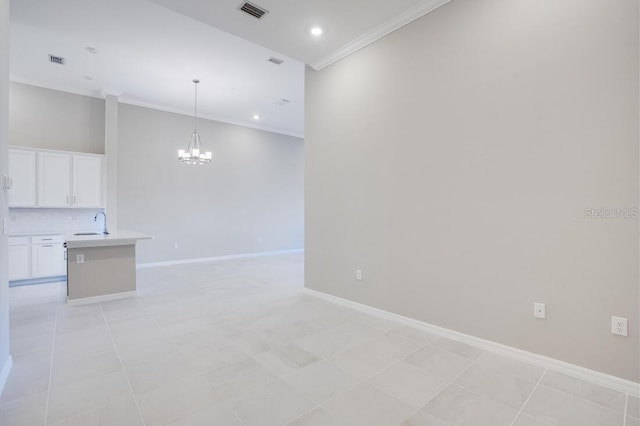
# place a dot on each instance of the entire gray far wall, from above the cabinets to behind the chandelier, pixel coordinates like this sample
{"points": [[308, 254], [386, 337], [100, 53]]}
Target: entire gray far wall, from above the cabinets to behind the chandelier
{"points": [[250, 200]]}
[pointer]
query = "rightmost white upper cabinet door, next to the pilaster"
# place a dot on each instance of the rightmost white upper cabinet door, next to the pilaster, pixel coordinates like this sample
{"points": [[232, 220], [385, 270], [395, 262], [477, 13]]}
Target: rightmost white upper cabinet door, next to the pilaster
{"points": [[87, 181]]}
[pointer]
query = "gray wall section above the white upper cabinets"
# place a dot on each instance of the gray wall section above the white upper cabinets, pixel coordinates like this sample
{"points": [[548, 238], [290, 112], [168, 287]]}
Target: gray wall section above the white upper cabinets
{"points": [[64, 121]]}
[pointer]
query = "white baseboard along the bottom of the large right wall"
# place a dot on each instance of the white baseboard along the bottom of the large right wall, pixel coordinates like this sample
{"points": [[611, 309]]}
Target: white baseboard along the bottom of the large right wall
{"points": [[609, 381]]}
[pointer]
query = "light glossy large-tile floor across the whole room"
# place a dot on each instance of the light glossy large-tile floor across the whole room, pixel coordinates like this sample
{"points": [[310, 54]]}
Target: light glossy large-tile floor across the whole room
{"points": [[238, 343]]}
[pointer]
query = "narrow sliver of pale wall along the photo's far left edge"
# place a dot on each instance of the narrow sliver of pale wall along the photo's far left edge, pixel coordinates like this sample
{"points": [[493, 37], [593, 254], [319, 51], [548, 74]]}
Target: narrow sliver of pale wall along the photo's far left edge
{"points": [[4, 169]]}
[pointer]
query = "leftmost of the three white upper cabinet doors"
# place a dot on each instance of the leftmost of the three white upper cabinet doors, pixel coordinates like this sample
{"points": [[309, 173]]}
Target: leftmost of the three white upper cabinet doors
{"points": [[22, 170]]}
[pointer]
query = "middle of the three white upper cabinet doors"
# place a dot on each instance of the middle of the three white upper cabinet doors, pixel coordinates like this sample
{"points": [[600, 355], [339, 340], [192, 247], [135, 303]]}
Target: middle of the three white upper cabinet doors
{"points": [[54, 172]]}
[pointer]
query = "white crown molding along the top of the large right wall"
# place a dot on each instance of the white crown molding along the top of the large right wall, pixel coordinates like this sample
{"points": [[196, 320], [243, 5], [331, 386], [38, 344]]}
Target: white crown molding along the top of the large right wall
{"points": [[409, 15]]}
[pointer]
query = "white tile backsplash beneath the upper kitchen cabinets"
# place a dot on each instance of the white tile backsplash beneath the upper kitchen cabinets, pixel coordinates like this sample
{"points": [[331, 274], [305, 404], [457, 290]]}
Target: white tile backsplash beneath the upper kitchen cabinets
{"points": [[53, 221]]}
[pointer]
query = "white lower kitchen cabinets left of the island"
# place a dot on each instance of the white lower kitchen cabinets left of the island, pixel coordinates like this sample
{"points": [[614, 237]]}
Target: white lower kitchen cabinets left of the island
{"points": [[36, 257]]}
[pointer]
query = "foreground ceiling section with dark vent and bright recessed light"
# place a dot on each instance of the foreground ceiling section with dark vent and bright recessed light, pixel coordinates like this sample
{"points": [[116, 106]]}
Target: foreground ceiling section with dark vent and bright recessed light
{"points": [[347, 24]]}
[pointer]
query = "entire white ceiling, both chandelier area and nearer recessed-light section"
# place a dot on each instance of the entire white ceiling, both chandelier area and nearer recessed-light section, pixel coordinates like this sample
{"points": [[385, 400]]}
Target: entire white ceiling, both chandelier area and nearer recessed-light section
{"points": [[148, 52]]}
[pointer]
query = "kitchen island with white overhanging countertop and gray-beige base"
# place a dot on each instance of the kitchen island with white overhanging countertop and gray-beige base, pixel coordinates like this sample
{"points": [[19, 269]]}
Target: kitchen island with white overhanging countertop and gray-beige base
{"points": [[101, 267]]}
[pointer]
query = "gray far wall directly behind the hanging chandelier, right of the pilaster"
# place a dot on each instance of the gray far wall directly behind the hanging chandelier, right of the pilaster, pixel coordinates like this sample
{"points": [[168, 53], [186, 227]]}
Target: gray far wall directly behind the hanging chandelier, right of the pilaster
{"points": [[253, 190]]}
